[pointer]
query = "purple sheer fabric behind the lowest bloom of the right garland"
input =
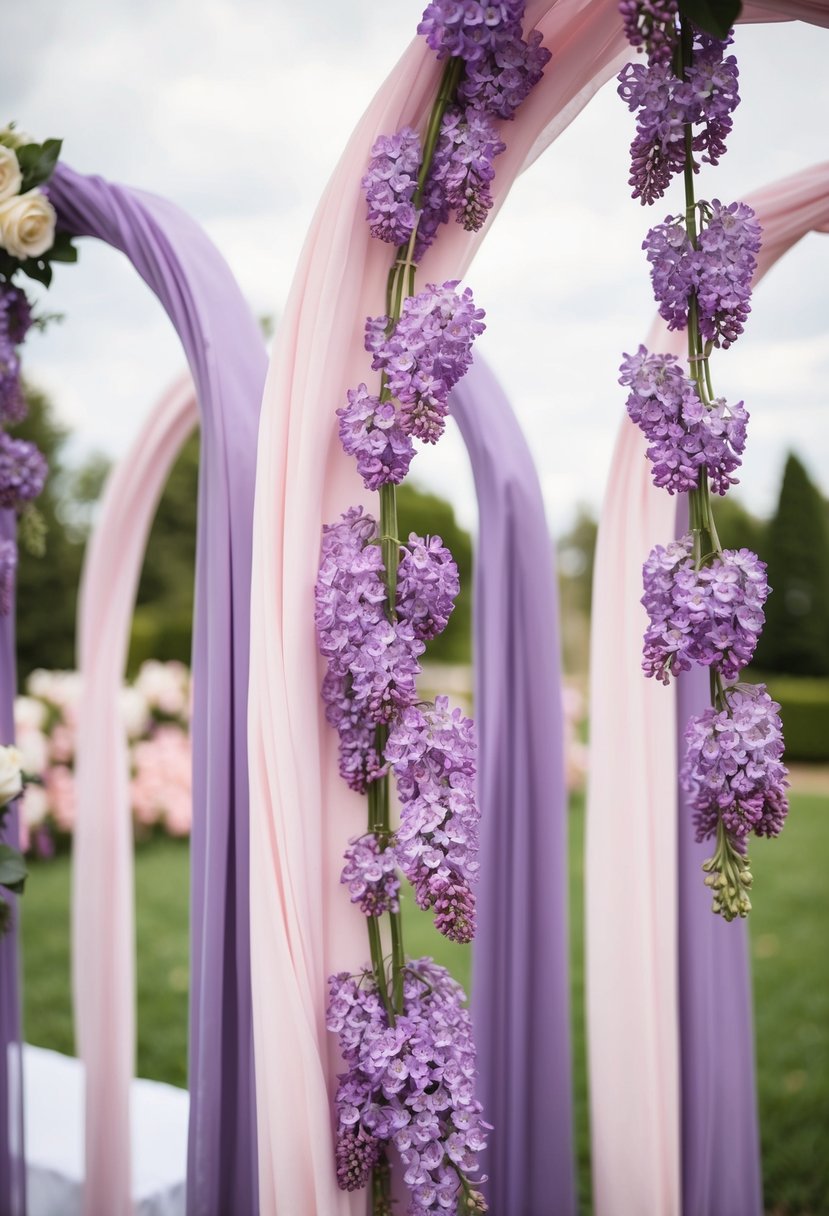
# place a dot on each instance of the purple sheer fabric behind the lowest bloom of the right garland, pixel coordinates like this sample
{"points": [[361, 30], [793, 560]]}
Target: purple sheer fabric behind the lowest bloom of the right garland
{"points": [[721, 1172]]}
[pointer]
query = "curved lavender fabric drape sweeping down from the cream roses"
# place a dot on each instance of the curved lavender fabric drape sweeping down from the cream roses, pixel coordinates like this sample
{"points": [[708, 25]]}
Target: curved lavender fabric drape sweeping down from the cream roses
{"points": [[227, 358]]}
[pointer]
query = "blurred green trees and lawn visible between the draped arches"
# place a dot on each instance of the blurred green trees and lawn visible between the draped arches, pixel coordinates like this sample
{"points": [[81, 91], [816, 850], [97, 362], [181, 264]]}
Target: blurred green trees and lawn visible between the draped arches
{"points": [[788, 926]]}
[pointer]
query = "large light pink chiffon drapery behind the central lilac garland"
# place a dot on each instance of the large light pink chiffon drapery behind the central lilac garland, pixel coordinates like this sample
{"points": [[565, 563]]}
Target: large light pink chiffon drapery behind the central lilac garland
{"points": [[302, 925]]}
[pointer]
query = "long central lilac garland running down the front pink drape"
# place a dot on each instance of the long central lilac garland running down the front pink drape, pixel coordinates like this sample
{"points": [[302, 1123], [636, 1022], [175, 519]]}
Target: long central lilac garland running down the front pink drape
{"points": [[404, 1031]]}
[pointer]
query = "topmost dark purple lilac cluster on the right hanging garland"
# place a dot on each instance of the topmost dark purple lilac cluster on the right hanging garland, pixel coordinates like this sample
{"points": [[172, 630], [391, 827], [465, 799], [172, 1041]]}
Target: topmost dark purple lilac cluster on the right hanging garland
{"points": [[704, 99]]}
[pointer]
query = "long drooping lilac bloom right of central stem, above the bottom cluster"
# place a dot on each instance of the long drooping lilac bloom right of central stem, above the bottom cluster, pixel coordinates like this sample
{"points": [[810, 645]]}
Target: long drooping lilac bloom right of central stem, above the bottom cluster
{"points": [[433, 753]]}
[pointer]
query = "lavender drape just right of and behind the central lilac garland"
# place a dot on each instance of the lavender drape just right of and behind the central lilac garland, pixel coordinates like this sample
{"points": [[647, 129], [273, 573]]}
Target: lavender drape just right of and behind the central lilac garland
{"points": [[521, 976]]}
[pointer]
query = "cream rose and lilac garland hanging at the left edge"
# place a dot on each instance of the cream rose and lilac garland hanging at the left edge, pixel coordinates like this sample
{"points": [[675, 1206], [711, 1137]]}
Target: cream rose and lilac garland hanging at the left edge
{"points": [[29, 246]]}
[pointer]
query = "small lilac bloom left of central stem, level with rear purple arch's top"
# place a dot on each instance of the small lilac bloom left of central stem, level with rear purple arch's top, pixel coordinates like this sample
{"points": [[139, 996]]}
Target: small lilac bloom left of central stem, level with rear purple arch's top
{"points": [[371, 431]]}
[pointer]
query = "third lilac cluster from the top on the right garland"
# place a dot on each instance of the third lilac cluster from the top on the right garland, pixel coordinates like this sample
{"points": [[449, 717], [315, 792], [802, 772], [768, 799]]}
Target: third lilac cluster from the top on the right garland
{"points": [[684, 435]]}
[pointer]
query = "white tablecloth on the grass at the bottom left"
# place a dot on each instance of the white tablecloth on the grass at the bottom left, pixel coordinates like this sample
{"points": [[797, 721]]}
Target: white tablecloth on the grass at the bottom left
{"points": [[54, 1104]]}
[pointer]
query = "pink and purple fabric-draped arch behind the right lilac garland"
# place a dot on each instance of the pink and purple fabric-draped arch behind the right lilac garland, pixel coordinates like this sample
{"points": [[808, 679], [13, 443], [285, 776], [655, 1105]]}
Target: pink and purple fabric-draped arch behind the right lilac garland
{"points": [[673, 1095]]}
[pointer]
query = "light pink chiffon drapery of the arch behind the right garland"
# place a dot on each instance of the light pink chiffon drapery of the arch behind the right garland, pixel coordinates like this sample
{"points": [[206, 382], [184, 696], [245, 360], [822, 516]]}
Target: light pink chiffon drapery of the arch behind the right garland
{"points": [[631, 868]]}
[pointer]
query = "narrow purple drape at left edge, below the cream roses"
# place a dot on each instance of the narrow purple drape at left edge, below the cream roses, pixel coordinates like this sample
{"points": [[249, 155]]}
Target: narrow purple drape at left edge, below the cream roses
{"points": [[13, 1163]]}
